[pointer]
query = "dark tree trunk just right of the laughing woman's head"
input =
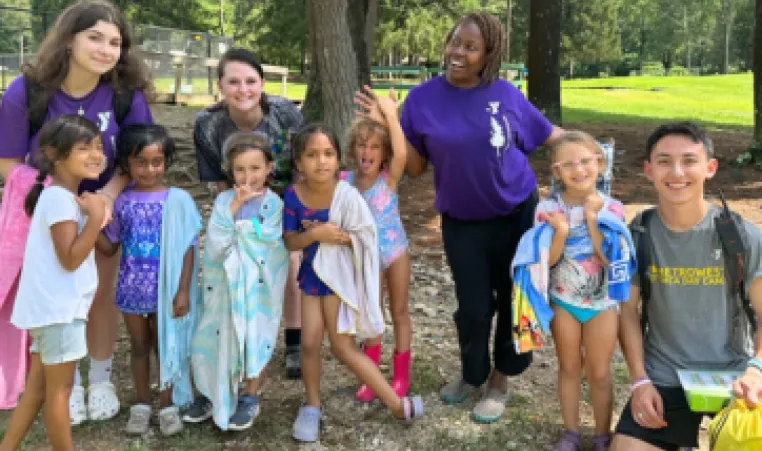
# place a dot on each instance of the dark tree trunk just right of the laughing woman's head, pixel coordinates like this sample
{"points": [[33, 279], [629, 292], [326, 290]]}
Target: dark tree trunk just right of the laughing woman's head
{"points": [[544, 48]]}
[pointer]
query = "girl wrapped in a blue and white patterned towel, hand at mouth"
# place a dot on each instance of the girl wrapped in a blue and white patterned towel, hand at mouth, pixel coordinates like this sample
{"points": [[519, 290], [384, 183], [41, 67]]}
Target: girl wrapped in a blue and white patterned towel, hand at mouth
{"points": [[245, 268]]}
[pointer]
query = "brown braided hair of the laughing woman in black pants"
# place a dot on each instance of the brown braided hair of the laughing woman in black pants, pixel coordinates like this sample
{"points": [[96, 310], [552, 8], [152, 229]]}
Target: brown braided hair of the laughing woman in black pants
{"points": [[493, 34]]}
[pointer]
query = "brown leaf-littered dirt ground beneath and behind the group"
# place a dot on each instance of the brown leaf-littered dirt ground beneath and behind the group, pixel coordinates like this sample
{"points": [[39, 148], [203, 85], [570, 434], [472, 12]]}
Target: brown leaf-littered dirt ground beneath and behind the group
{"points": [[532, 420]]}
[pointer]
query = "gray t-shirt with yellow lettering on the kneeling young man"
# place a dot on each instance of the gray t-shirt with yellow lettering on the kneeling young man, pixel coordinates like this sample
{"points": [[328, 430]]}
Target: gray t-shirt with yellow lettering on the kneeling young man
{"points": [[694, 322]]}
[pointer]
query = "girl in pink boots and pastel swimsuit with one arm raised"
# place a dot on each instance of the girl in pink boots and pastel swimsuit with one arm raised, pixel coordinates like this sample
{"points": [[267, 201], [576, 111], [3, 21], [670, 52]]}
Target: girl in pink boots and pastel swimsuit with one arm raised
{"points": [[379, 153]]}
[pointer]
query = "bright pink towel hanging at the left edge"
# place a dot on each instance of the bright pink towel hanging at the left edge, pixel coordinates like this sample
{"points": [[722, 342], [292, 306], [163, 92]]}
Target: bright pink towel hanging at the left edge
{"points": [[14, 227]]}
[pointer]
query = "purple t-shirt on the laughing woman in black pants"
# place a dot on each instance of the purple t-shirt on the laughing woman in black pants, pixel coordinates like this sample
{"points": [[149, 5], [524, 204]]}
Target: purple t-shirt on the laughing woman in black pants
{"points": [[478, 140]]}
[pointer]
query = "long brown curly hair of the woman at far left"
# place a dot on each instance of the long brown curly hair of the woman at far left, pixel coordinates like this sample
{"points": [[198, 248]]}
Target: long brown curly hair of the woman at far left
{"points": [[51, 64]]}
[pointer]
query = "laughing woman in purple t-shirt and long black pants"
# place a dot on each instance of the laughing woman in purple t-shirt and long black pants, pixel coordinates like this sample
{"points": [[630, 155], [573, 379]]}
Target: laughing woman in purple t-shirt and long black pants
{"points": [[477, 131]]}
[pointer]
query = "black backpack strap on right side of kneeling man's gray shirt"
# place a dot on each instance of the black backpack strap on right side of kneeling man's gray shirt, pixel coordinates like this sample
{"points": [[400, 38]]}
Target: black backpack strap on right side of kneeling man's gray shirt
{"points": [[734, 240]]}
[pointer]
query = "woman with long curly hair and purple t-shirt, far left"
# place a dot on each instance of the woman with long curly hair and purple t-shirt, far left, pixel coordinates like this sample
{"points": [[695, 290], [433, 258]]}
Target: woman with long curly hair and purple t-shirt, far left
{"points": [[84, 59]]}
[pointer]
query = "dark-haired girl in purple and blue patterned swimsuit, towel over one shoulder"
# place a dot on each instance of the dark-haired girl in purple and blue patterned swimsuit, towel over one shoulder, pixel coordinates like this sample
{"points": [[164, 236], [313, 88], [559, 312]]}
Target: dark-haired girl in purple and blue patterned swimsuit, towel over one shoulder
{"points": [[144, 152]]}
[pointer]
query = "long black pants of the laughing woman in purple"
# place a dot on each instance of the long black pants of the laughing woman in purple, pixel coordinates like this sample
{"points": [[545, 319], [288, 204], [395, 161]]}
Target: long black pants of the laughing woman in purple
{"points": [[479, 254]]}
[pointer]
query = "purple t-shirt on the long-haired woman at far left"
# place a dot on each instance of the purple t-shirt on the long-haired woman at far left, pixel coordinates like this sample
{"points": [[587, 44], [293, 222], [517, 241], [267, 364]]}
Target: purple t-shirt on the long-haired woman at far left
{"points": [[97, 106]]}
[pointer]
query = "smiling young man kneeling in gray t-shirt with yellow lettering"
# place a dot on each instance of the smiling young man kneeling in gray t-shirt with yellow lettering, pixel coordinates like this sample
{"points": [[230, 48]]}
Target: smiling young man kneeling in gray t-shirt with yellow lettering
{"points": [[694, 320]]}
